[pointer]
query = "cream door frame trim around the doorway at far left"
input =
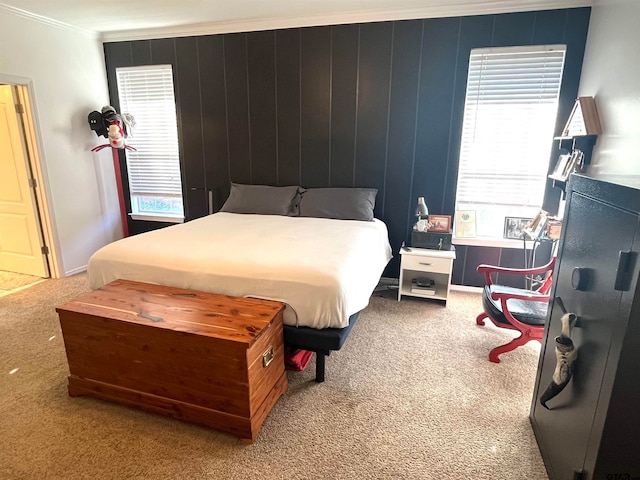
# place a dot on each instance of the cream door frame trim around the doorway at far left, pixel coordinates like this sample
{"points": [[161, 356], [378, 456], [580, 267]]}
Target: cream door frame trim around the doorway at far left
{"points": [[33, 143]]}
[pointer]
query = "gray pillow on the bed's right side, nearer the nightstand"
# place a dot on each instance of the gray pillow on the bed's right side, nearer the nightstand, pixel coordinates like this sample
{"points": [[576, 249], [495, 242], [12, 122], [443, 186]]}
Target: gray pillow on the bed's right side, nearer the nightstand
{"points": [[339, 203]]}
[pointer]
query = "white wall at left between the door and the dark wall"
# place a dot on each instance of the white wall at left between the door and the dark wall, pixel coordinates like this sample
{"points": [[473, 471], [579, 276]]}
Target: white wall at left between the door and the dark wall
{"points": [[67, 71]]}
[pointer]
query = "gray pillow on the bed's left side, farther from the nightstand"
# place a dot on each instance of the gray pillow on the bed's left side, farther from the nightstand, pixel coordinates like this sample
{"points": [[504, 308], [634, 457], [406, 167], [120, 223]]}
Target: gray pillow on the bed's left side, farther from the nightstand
{"points": [[263, 199]]}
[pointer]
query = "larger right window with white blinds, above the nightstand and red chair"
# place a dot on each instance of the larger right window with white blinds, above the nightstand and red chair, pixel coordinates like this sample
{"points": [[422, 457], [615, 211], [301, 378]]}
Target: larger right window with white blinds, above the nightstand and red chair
{"points": [[509, 116]]}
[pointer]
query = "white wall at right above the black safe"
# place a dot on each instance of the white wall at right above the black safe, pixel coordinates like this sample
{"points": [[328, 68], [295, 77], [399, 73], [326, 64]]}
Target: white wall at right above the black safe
{"points": [[611, 73]]}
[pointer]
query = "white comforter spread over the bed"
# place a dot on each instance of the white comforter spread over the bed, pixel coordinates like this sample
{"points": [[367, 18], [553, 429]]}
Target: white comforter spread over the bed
{"points": [[324, 270]]}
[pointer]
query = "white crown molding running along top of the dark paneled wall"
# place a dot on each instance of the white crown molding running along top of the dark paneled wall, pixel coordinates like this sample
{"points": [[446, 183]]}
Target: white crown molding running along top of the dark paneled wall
{"points": [[338, 18]]}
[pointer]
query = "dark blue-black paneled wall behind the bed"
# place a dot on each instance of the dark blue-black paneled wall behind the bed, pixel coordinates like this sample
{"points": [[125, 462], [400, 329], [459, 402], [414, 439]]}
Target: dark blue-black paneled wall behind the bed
{"points": [[364, 105]]}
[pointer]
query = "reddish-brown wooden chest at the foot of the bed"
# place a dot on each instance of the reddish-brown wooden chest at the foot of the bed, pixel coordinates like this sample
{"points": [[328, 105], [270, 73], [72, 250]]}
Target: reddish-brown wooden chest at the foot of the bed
{"points": [[210, 359]]}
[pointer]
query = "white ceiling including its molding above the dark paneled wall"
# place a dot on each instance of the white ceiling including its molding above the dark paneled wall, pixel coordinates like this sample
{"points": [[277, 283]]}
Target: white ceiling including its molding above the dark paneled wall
{"points": [[136, 19]]}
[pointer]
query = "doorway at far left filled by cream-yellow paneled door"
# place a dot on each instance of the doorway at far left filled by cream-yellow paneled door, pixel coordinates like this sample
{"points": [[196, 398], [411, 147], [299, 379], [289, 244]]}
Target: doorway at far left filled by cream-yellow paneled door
{"points": [[23, 246]]}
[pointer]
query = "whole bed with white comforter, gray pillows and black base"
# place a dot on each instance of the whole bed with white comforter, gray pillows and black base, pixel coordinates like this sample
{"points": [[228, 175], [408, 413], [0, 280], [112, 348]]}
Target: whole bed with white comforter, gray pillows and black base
{"points": [[322, 267]]}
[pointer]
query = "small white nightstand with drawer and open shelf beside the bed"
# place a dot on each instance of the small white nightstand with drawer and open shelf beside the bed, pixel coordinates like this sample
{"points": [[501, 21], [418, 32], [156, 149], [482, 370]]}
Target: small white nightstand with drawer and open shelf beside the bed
{"points": [[421, 262]]}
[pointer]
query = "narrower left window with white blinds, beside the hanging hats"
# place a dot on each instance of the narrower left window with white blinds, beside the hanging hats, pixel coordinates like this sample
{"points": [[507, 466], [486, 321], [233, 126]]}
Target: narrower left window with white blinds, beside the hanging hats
{"points": [[154, 168]]}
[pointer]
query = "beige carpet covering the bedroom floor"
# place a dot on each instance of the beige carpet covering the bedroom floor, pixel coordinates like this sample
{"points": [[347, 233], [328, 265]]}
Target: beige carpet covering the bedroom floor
{"points": [[411, 395]]}
